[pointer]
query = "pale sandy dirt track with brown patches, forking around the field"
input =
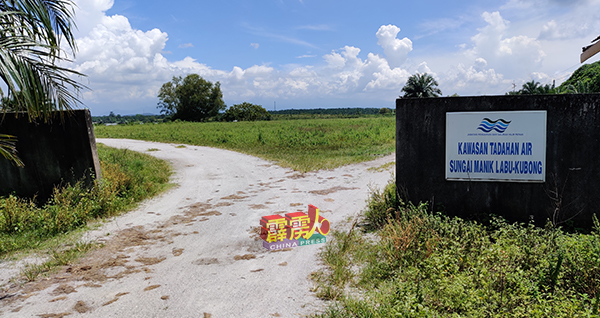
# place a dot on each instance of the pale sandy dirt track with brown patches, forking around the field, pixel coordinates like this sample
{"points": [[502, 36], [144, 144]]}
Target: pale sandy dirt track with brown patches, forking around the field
{"points": [[194, 251]]}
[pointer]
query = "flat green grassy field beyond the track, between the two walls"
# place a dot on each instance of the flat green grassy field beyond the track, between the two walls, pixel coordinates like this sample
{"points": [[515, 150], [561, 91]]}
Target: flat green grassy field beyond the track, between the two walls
{"points": [[303, 145]]}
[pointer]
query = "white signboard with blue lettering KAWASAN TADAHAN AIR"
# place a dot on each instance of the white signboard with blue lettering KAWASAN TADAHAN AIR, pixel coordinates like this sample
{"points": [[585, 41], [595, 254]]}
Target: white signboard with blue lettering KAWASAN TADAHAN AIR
{"points": [[496, 146]]}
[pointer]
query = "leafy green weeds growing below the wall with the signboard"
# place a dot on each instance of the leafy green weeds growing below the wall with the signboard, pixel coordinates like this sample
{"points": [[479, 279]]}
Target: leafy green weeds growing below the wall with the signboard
{"points": [[414, 263]]}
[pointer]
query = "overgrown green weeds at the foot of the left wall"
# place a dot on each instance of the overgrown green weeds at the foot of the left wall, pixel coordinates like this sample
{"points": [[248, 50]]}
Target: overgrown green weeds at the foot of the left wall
{"points": [[128, 177]]}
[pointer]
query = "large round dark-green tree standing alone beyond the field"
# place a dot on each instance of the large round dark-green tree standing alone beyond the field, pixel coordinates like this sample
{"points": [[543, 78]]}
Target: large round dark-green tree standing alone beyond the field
{"points": [[191, 98]]}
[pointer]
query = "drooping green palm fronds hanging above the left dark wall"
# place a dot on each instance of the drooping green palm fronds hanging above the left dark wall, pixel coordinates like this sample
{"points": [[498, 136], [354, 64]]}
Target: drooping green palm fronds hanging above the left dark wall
{"points": [[31, 32]]}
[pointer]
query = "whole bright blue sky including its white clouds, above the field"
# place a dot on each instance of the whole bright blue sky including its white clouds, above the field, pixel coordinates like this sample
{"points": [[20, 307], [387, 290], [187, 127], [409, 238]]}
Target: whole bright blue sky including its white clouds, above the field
{"points": [[321, 53]]}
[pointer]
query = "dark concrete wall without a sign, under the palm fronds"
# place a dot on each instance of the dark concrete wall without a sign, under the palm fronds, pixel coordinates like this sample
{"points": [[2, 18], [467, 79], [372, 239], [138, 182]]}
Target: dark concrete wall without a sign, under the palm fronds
{"points": [[58, 152]]}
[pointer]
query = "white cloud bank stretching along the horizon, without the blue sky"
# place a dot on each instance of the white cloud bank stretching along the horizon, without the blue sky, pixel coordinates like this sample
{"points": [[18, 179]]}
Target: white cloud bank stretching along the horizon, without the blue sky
{"points": [[127, 66]]}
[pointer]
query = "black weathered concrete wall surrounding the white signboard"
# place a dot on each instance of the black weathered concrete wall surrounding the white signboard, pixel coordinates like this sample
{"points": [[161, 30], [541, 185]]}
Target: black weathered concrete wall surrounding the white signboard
{"points": [[572, 185]]}
